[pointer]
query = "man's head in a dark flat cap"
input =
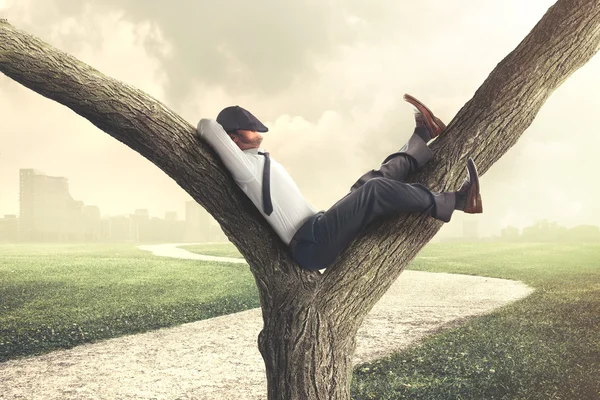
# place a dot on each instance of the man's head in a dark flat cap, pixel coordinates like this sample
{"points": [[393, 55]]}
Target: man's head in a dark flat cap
{"points": [[242, 127]]}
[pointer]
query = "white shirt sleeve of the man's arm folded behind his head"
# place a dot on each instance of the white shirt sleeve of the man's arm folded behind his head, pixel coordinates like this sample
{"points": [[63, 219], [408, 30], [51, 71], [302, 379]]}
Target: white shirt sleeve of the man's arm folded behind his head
{"points": [[232, 156]]}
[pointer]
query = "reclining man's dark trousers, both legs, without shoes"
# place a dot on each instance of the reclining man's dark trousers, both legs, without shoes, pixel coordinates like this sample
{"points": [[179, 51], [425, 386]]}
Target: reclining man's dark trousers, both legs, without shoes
{"points": [[378, 192]]}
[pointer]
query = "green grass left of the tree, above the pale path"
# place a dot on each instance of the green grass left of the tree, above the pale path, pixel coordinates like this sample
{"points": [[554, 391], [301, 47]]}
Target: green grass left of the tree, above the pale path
{"points": [[59, 296]]}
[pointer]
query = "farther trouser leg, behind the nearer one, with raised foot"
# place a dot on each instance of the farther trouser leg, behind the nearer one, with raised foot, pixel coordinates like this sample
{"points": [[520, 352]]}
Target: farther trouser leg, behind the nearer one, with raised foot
{"points": [[397, 166]]}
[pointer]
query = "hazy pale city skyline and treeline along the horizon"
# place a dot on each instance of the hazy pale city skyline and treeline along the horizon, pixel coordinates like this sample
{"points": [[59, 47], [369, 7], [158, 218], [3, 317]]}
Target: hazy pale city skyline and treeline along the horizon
{"points": [[48, 212]]}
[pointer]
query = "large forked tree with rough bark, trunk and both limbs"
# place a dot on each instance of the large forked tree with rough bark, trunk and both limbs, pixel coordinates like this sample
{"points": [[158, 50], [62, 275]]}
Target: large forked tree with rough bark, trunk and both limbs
{"points": [[311, 320]]}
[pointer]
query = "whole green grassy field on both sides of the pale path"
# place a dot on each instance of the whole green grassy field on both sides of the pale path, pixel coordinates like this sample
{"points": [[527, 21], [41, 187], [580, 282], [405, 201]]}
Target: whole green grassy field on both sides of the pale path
{"points": [[546, 346]]}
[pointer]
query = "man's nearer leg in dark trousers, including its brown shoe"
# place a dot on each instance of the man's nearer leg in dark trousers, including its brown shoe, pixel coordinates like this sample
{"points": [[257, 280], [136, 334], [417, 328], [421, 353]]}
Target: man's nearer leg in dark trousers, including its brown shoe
{"points": [[320, 240]]}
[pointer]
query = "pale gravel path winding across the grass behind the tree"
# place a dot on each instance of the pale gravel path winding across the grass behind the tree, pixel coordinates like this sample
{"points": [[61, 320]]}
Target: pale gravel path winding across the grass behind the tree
{"points": [[218, 358]]}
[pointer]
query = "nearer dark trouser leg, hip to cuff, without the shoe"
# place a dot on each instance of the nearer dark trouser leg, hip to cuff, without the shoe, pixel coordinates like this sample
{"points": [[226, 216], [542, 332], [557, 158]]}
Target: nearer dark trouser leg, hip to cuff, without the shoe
{"points": [[324, 237]]}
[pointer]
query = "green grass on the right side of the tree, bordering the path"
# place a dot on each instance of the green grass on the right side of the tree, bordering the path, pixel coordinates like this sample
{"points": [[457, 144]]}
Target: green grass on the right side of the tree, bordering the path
{"points": [[546, 346]]}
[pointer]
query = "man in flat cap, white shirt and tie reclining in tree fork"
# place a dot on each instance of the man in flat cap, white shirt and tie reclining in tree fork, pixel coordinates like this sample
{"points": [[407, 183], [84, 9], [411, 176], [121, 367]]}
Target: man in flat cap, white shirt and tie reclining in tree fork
{"points": [[316, 238]]}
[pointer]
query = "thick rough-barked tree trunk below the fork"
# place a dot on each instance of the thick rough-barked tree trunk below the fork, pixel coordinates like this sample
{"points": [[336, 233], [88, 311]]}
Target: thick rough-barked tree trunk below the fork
{"points": [[306, 356]]}
